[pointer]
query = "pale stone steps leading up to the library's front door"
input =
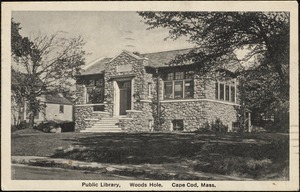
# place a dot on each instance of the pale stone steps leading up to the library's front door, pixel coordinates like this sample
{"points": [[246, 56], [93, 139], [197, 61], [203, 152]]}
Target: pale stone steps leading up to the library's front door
{"points": [[104, 125]]}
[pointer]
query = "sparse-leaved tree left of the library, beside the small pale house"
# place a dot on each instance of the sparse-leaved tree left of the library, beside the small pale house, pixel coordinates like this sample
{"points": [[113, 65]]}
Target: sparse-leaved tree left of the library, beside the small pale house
{"points": [[45, 64]]}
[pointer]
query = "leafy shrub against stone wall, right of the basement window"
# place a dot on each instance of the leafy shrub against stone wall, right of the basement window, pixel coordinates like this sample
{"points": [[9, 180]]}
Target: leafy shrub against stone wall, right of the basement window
{"points": [[215, 126]]}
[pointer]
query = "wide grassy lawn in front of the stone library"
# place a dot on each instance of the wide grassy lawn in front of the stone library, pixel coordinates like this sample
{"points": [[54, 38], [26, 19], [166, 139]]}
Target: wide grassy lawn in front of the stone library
{"points": [[260, 156]]}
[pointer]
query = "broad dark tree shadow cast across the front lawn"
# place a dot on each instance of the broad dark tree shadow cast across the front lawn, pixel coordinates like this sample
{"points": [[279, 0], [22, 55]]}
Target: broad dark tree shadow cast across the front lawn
{"points": [[159, 148]]}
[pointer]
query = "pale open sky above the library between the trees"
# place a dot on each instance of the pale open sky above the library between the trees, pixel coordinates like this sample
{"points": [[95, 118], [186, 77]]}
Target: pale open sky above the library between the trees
{"points": [[106, 33]]}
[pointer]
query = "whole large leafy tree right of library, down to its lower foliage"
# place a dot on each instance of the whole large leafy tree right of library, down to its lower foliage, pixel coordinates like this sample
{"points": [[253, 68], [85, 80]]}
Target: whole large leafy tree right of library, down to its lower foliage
{"points": [[264, 36]]}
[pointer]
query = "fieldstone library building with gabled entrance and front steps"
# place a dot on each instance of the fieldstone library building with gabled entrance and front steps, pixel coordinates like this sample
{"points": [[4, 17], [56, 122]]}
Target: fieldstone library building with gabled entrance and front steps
{"points": [[140, 92]]}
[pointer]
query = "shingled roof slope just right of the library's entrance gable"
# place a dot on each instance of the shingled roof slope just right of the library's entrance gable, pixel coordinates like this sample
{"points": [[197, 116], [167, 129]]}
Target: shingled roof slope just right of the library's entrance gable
{"points": [[160, 59]]}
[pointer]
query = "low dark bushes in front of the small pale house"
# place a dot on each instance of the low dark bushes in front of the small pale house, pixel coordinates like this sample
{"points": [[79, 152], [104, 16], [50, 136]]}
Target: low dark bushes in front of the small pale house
{"points": [[47, 126]]}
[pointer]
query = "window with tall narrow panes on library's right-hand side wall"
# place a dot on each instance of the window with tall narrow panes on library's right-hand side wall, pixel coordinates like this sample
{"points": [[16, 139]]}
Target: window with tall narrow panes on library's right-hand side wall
{"points": [[225, 91]]}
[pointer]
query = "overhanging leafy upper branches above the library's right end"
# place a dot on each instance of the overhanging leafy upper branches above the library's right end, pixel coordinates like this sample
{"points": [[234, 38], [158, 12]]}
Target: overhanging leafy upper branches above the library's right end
{"points": [[264, 34]]}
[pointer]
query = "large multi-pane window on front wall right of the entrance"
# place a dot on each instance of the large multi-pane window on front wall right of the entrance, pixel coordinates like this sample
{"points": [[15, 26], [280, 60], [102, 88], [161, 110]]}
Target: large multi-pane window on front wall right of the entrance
{"points": [[178, 85]]}
